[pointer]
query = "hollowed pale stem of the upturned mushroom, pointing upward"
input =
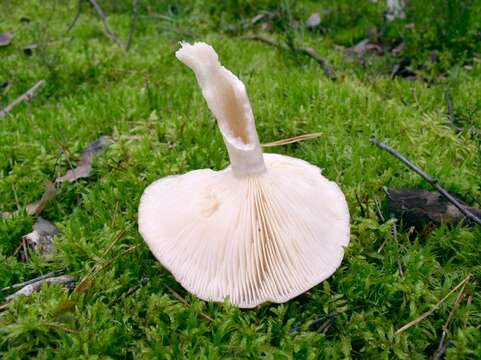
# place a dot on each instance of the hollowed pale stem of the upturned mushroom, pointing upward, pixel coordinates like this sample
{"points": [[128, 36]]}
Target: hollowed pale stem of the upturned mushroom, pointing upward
{"points": [[227, 98]]}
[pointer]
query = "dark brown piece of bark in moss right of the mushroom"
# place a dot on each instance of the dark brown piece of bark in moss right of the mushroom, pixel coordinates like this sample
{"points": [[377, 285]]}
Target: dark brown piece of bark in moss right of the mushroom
{"points": [[415, 207]]}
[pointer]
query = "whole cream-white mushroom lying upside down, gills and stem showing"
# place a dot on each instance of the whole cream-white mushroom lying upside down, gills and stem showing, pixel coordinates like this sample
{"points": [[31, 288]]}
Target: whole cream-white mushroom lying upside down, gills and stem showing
{"points": [[267, 228]]}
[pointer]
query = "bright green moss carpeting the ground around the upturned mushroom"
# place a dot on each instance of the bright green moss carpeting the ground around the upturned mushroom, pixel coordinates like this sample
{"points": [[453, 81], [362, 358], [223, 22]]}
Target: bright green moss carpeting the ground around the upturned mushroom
{"points": [[150, 104]]}
